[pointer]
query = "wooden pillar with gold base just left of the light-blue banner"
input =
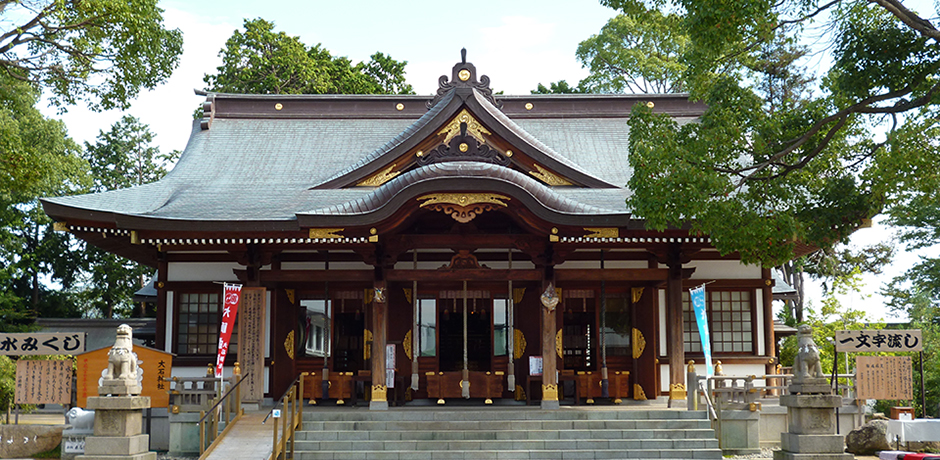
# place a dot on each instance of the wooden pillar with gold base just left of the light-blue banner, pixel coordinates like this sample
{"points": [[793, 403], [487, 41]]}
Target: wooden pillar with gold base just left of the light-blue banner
{"points": [[675, 347]]}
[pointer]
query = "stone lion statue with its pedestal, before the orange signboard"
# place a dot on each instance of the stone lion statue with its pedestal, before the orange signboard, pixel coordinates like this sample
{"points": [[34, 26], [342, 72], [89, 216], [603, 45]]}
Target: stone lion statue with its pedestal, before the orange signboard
{"points": [[119, 408]]}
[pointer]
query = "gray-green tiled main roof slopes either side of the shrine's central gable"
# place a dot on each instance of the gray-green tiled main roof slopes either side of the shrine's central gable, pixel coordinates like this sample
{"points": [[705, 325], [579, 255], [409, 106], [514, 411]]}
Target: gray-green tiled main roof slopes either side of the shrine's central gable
{"points": [[263, 169]]}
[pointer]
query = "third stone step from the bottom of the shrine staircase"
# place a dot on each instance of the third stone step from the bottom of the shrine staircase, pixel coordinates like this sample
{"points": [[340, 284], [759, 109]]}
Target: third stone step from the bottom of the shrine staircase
{"points": [[506, 435]]}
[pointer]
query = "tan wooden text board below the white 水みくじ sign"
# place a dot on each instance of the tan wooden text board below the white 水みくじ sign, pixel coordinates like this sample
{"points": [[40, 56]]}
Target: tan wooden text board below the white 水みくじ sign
{"points": [[43, 382]]}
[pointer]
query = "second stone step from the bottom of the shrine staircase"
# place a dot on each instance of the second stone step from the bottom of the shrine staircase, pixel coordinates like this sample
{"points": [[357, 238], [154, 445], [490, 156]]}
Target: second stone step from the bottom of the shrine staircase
{"points": [[559, 445]]}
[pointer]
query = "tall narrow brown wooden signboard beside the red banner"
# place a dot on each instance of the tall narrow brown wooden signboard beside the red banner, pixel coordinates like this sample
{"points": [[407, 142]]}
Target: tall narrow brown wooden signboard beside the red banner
{"points": [[251, 342]]}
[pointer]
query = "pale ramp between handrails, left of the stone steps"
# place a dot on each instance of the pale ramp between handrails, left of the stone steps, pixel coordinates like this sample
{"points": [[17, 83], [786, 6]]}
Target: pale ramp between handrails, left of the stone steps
{"points": [[248, 439]]}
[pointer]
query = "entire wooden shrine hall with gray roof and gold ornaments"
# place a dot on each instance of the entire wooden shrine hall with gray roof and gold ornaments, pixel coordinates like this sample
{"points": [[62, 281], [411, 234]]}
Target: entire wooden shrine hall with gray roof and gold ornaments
{"points": [[426, 249]]}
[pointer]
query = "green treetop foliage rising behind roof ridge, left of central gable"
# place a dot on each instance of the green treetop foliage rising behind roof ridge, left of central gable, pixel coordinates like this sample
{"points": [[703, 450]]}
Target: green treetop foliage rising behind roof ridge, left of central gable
{"points": [[262, 61]]}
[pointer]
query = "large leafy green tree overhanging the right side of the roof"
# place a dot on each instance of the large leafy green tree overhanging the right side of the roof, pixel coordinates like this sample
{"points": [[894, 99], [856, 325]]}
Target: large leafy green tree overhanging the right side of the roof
{"points": [[761, 177]]}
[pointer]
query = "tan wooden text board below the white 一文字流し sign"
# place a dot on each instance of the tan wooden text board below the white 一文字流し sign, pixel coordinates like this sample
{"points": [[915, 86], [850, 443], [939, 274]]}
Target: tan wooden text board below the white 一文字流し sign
{"points": [[884, 377]]}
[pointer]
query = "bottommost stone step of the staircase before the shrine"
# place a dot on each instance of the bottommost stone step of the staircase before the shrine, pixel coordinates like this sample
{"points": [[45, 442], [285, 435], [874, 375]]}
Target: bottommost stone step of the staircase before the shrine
{"points": [[675, 454]]}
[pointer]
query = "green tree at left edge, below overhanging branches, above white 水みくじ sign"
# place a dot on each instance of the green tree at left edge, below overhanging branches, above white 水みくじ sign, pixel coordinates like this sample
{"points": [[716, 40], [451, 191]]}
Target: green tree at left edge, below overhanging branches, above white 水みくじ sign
{"points": [[37, 158]]}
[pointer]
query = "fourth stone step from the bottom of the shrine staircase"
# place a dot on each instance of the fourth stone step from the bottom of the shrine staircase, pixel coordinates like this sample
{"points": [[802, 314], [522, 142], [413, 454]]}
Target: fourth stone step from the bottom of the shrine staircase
{"points": [[465, 425]]}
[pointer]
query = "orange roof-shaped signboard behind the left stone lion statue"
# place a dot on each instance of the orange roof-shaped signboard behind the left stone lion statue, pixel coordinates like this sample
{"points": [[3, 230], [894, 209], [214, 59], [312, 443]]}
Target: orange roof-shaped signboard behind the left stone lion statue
{"points": [[156, 364]]}
